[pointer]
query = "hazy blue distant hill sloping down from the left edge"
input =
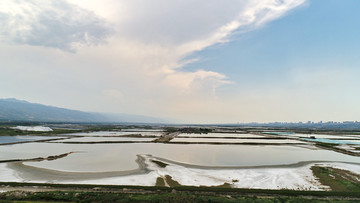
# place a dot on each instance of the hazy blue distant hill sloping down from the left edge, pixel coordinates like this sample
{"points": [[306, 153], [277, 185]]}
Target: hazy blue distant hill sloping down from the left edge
{"points": [[19, 110]]}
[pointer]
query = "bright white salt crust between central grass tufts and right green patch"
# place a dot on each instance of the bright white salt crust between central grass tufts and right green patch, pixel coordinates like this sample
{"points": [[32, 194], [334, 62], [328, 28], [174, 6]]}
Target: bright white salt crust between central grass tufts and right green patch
{"points": [[297, 178]]}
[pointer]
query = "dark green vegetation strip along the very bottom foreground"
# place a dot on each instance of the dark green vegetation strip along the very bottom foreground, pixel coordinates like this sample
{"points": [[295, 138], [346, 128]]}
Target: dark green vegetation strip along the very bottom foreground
{"points": [[175, 196]]}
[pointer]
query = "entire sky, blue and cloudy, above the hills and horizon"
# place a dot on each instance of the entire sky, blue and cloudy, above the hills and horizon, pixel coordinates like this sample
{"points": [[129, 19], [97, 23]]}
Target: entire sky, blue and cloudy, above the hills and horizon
{"points": [[202, 61]]}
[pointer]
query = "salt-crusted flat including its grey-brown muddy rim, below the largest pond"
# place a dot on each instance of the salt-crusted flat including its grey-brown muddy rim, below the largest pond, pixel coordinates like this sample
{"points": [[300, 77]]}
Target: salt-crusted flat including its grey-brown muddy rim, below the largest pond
{"points": [[294, 176]]}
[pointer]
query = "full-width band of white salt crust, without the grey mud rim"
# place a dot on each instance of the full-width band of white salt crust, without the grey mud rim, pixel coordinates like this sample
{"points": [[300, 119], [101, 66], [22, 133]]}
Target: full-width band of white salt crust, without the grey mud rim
{"points": [[294, 178]]}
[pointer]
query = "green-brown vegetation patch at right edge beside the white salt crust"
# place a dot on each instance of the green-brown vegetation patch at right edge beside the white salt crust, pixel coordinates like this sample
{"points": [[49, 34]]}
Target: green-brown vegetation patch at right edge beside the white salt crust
{"points": [[337, 179]]}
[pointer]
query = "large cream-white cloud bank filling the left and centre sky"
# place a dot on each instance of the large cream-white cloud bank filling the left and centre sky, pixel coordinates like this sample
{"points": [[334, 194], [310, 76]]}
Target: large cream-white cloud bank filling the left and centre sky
{"points": [[146, 44]]}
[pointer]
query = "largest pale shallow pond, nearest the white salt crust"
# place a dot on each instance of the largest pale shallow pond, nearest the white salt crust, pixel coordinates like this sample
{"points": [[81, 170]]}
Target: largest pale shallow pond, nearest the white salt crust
{"points": [[119, 157]]}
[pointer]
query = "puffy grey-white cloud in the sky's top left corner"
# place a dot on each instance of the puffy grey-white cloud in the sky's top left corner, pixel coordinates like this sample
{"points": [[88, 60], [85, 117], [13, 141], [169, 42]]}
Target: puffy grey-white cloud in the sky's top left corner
{"points": [[51, 23]]}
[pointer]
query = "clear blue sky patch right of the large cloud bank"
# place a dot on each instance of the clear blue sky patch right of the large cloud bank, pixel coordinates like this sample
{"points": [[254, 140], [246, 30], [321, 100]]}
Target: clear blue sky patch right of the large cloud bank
{"points": [[318, 34]]}
